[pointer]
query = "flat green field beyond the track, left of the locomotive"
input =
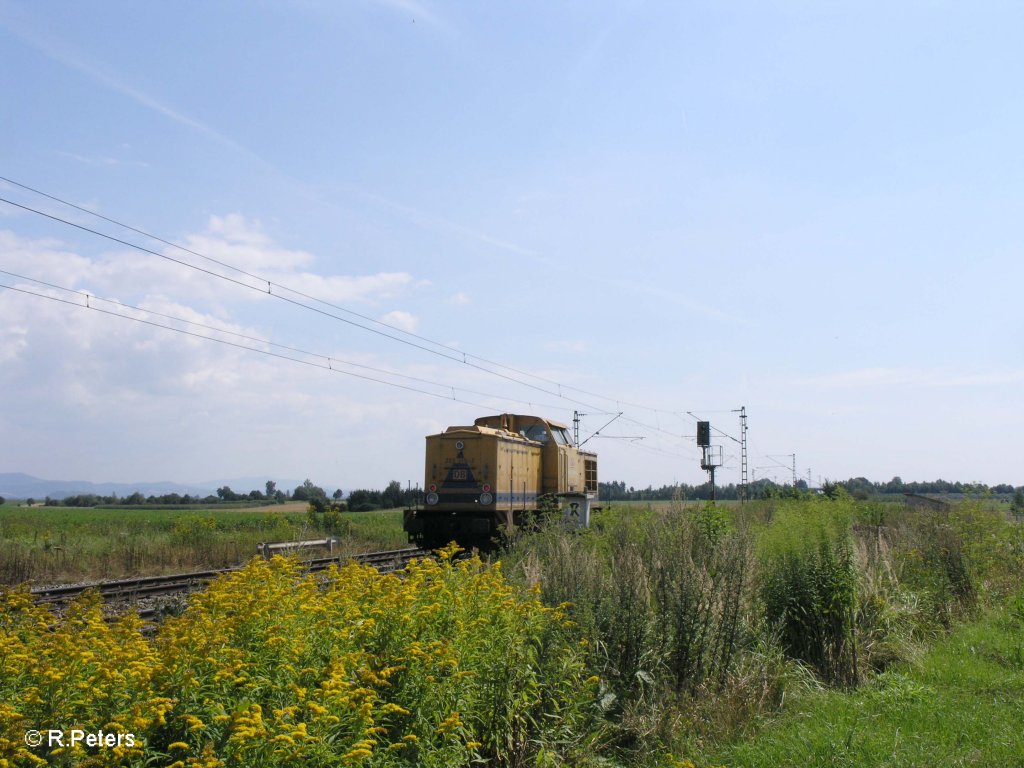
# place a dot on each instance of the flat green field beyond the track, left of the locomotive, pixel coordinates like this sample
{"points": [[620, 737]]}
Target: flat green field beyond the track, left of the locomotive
{"points": [[67, 544]]}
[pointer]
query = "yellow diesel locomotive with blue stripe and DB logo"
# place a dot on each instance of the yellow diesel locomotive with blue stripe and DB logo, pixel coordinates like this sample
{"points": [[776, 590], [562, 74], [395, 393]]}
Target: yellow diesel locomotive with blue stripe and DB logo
{"points": [[486, 481]]}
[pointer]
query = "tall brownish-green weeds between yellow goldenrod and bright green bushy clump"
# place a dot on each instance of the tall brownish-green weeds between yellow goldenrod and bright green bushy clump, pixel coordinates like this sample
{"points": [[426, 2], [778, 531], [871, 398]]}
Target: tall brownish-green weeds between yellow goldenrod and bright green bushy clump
{"points": [[663, 602]]}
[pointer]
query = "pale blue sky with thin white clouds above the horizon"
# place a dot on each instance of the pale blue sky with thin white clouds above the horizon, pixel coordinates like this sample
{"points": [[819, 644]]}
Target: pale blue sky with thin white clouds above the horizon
{"points": [[369, 221]]}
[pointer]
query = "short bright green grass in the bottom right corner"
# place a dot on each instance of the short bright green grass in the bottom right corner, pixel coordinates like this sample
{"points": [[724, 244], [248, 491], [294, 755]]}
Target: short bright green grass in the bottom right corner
{"points": [[962, 705]]}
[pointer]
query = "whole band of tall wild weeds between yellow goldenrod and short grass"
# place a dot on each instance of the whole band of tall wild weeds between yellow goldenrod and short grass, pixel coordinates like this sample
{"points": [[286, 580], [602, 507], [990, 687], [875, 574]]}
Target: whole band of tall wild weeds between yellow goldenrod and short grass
{"points": [[700, 619]]}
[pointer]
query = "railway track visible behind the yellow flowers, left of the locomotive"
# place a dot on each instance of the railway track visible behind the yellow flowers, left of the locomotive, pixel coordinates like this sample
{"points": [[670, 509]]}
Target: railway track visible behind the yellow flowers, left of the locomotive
{"points": [[136, 590]]}
